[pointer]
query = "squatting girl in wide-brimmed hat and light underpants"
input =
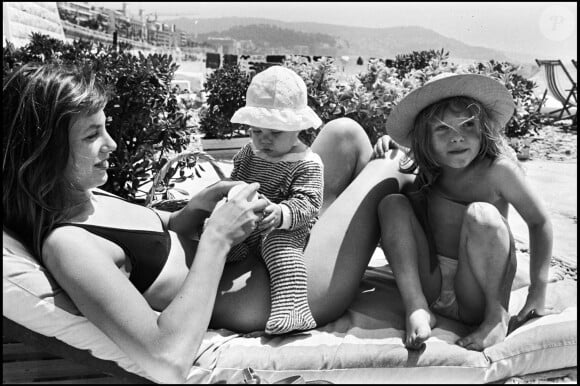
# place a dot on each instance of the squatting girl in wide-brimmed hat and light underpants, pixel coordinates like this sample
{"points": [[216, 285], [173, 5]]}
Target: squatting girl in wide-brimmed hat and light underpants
{"points": [[449, 244]]}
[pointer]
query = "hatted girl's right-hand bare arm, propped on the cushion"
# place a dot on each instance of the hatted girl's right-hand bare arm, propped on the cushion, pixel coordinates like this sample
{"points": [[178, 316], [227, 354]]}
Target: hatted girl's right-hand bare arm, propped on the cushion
{"points": [[514, 188]]}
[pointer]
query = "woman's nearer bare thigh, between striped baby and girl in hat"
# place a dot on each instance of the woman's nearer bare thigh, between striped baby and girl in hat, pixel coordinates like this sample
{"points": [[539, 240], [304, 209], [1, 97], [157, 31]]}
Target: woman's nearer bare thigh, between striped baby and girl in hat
{"points": [[345, 237]]}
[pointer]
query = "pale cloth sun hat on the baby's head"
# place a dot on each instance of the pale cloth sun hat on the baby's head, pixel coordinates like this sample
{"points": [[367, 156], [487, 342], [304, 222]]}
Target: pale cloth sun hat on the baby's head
{"points": [[277, 99]]}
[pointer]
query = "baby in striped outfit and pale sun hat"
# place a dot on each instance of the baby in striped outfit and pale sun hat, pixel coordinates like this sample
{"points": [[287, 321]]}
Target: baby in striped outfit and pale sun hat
{"points": [[291, 178]]}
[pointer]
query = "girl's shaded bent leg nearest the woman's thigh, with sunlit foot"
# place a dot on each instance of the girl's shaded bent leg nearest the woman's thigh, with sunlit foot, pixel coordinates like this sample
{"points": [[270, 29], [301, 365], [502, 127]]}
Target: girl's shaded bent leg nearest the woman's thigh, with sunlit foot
{"points": [[407, 251]]}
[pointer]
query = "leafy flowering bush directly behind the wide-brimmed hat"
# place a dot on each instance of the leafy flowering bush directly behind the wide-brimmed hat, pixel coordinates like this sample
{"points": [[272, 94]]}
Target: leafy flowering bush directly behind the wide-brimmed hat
{"points": [[369, 97]]}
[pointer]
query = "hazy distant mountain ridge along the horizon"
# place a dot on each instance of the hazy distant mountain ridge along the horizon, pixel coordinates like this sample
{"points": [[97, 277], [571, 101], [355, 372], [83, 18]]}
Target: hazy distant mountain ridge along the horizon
{"points": [[358, 41]]}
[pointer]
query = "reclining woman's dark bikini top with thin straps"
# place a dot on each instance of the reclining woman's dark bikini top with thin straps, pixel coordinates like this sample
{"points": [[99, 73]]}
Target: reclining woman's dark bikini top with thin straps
{"points": [[147, 250]]}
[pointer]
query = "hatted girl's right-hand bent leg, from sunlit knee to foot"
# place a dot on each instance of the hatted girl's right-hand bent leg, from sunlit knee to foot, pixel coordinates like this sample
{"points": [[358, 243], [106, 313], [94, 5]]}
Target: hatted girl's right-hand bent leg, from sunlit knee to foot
{"points": [[484, 275]]}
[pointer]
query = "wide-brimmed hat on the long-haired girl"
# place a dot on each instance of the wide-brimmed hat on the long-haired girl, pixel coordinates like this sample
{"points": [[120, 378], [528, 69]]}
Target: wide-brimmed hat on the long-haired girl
{"points": [[494, 96]]}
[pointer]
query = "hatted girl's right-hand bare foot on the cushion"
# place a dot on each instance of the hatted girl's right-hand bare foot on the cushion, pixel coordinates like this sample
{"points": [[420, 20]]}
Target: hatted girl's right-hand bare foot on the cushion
{"points": [[491, 331]]}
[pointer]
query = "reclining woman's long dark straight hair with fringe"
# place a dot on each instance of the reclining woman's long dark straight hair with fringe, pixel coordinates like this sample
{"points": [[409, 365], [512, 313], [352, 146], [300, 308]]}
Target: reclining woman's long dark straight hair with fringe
{"points": [[39, 102]]}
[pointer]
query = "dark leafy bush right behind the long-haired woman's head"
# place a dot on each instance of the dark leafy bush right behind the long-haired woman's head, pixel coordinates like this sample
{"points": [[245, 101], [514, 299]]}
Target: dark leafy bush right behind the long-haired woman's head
{"points": [[144, 117]]}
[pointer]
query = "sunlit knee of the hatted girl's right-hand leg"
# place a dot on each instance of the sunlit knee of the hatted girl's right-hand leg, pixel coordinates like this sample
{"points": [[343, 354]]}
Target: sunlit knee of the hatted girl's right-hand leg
{"points": [[484, 220]]}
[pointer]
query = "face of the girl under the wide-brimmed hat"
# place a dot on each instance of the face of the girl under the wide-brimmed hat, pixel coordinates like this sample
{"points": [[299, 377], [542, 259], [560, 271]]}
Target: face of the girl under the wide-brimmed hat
{"points": [[455, 138]]}
